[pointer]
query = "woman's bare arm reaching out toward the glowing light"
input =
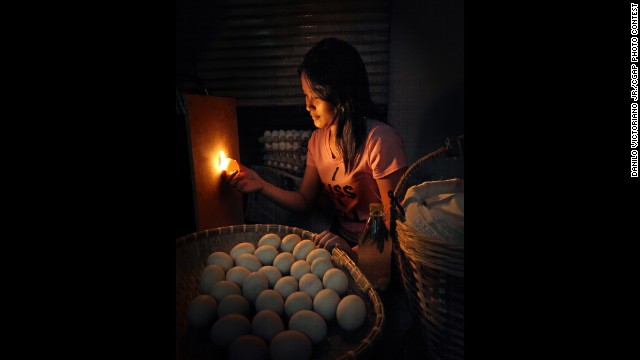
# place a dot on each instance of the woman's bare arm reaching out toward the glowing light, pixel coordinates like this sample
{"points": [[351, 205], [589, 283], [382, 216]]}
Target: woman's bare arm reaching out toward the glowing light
{"points": [[248, 180]]}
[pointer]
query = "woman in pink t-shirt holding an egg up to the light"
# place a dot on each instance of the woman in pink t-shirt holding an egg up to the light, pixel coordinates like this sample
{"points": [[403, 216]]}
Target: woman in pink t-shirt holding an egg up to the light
{"points": [[353, 156]]}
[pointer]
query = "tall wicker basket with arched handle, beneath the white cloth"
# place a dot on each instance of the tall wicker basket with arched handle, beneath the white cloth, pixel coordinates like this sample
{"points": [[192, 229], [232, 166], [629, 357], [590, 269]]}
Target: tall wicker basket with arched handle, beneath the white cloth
{"points": [[433, 277]]}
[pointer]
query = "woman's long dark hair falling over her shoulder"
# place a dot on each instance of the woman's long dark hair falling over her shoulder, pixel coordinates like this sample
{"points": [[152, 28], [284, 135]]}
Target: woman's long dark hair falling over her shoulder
{"points": [[337, 74]]}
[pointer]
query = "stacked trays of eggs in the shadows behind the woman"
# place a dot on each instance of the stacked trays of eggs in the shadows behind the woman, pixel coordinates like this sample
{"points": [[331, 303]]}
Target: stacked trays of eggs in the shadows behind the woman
{"points": [[285, 149]]}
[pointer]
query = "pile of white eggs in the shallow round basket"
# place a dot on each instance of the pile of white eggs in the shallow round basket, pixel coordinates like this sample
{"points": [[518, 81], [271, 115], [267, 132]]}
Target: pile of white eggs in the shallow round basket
{"points": [[274, 300]]}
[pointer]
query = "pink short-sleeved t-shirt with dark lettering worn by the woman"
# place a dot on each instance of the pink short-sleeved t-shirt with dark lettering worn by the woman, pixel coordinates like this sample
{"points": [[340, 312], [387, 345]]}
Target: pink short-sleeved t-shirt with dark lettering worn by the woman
{"points": [[351, 194]]}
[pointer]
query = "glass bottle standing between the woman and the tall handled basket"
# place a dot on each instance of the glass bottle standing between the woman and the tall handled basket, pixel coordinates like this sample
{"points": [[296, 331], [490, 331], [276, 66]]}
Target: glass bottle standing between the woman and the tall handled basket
{"points": [[374, 249]]}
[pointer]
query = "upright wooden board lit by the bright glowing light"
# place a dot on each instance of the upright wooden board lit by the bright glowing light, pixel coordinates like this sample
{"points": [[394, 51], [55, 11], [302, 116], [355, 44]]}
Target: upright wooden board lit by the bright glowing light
{"points": [[213, 127]]}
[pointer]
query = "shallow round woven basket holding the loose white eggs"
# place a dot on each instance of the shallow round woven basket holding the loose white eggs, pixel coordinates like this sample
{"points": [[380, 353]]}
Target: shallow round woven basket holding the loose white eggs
{"points": [[191, 258]]}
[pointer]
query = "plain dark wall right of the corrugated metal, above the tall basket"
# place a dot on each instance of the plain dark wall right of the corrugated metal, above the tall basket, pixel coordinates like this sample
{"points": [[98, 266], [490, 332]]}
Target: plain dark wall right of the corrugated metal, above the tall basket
{"points": [[426, 79]]}
